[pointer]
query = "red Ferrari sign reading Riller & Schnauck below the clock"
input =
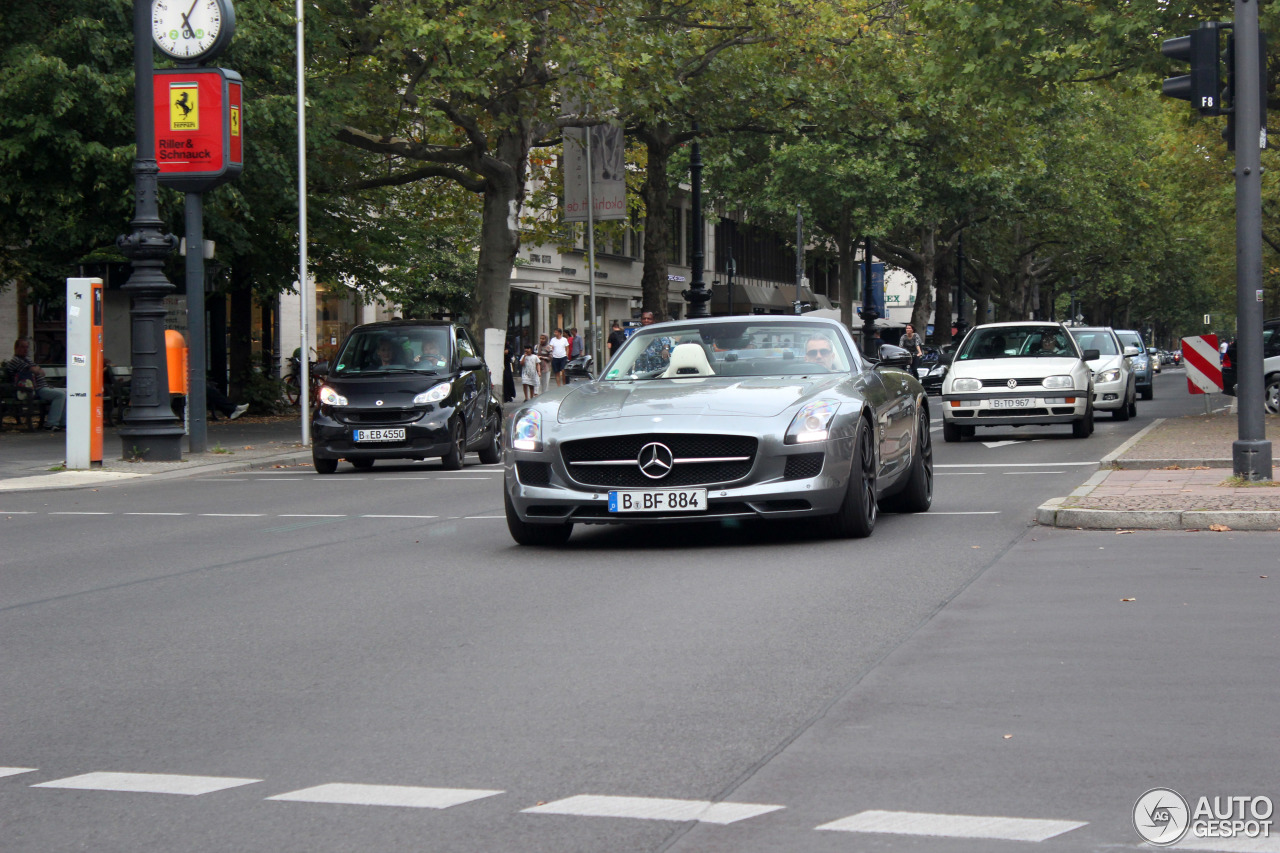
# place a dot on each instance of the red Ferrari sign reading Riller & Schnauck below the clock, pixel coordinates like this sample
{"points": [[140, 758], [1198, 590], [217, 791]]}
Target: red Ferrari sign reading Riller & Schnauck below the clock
{"points": [[199, 127]]}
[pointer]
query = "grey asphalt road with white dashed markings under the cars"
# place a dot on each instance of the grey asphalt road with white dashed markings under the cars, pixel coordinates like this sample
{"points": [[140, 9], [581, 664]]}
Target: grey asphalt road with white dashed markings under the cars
{"points": [[282, 662]]}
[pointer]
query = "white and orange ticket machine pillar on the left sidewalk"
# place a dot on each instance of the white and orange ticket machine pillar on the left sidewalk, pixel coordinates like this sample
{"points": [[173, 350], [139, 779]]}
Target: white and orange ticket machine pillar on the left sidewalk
{"points": [[84, 373]]}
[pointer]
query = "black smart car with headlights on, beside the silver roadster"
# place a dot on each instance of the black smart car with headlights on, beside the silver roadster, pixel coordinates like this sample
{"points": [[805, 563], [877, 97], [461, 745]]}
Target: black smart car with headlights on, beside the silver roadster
{"points": [[406, 390]]}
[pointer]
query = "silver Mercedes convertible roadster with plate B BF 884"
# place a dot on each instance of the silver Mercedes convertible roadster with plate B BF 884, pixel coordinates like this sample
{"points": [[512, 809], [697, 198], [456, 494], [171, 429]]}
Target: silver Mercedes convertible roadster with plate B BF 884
{"points": [[724, 418]]}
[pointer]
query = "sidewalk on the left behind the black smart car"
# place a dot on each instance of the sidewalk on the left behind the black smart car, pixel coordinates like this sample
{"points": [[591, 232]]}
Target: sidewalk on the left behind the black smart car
{"points": [[35, 460]]}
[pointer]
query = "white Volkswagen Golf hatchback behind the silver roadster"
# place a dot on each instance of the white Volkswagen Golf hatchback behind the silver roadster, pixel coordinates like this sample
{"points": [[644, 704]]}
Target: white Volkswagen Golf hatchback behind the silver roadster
{"points": [[1014, 375]]}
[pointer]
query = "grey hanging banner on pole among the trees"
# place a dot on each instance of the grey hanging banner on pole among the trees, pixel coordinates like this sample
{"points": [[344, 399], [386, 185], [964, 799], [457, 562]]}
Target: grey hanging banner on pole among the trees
{"points": [[609, 167]]}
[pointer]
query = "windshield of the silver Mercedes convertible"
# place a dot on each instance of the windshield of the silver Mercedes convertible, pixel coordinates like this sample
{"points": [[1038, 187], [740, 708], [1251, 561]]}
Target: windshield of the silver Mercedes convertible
{"points": [[730, 350]]}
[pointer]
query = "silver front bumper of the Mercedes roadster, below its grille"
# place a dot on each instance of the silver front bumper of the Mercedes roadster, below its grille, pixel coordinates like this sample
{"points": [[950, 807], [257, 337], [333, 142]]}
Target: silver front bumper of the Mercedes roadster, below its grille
{"points": [[784, 482]]}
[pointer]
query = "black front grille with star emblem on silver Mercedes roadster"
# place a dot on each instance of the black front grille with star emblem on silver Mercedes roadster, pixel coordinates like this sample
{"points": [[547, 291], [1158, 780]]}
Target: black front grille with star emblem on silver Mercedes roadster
{"points": [[614, 462]]}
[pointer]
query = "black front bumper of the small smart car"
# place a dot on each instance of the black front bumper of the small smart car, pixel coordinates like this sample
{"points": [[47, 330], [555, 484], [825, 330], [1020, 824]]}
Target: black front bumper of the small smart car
{"points": [[427, 435]]}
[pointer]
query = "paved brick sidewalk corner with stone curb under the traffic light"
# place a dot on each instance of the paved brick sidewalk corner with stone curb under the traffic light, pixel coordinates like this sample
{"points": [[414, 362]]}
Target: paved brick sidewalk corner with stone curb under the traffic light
{"points": [[1177, 475]]}
